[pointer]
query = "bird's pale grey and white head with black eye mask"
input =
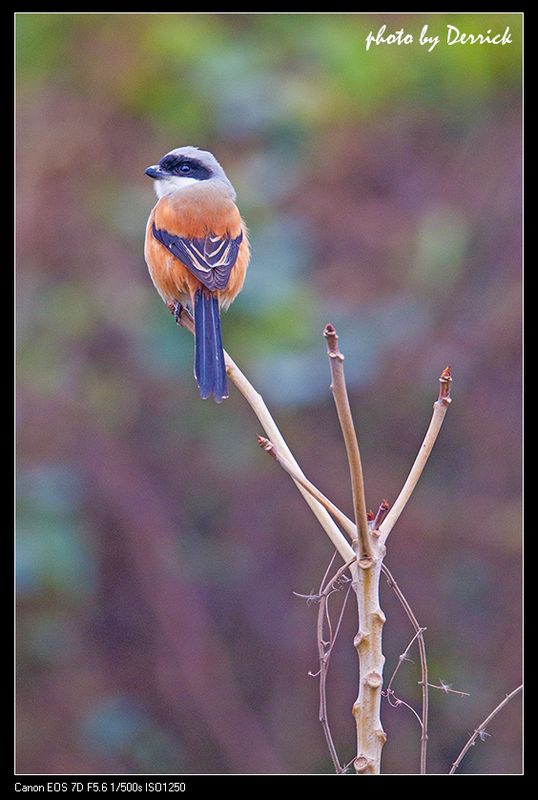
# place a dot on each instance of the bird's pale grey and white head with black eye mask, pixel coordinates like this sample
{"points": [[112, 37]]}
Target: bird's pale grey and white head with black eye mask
{"points": [[186, 167]]}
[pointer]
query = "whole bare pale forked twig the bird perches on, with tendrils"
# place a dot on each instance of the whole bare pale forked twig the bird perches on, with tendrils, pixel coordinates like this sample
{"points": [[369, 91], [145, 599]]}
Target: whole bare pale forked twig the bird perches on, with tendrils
{"points": [[364, 560]]}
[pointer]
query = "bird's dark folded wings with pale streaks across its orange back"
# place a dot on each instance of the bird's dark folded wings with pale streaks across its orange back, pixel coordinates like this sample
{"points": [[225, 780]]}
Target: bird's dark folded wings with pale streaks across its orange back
{"points": [[210, 259]]}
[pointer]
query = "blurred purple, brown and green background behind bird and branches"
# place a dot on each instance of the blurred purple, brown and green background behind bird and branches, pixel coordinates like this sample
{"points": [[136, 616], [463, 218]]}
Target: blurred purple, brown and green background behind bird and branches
{"points": [[157, 546]]}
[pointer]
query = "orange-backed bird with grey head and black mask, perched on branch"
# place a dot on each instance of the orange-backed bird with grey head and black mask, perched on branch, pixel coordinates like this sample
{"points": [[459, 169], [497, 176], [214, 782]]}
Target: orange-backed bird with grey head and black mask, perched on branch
{"points": [[197, 251]]}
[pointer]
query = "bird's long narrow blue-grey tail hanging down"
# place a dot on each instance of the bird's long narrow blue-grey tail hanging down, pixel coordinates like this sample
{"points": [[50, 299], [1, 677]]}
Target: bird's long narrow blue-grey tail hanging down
{"points": [[209, 365]]}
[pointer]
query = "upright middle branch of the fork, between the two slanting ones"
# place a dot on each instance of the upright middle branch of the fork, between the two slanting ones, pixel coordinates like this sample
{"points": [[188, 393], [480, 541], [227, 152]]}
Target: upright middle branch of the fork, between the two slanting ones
{"points": [[341, 399]]}
